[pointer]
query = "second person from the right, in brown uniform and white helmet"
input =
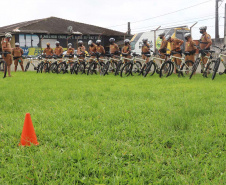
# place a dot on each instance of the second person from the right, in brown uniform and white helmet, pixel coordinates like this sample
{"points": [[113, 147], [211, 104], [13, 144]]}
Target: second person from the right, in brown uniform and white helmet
{"points": [[190, 47]]}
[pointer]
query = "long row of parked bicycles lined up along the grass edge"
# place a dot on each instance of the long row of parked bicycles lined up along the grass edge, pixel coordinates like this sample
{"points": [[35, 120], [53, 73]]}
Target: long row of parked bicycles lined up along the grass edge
{"points": [[129, 65]]}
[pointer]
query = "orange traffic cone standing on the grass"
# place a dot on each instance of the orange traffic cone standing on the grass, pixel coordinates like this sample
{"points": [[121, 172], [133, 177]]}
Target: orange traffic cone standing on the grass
{"points": [[28, 135]]}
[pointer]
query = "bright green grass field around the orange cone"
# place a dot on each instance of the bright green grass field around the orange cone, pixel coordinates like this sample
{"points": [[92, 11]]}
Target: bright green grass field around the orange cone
{"points": [[112, 130]]}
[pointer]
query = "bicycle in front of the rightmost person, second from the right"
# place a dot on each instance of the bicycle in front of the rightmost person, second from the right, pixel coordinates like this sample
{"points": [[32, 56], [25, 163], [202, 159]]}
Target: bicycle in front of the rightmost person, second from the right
{"points": [[207, 66]]}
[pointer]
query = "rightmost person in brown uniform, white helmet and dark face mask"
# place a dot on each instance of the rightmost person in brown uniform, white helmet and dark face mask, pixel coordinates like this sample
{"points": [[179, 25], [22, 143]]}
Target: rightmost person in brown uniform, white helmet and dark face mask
{"points": [[205, 43]]}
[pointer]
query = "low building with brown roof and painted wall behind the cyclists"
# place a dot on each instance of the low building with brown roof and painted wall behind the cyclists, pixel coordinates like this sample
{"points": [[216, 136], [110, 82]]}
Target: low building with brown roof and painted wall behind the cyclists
{"points": [[33, 35]]}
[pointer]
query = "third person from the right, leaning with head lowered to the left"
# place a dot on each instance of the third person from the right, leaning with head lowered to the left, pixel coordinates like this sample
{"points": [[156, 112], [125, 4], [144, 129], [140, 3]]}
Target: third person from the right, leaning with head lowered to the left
{"points": [[175, 45]]}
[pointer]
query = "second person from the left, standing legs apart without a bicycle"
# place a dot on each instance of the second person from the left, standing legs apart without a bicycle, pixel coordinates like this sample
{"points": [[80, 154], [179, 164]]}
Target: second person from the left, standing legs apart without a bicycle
{"points": [[17, 55]]}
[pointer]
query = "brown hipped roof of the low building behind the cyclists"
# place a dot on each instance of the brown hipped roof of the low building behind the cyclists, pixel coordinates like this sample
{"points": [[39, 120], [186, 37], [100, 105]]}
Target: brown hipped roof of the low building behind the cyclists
{"points": [[55, 25]]}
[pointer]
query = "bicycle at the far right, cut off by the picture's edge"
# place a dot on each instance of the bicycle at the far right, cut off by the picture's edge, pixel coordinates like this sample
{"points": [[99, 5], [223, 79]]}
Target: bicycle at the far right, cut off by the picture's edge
{"points": [[217, 63]]}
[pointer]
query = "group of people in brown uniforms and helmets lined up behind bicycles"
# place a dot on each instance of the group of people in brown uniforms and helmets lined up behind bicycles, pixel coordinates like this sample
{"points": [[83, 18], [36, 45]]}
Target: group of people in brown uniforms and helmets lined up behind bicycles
{"points": [[175, 44]]}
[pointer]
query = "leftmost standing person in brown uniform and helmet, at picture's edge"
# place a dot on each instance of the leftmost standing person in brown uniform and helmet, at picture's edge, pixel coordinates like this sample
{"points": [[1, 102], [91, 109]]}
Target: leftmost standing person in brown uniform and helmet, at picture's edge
{"points": [[6, 47]]}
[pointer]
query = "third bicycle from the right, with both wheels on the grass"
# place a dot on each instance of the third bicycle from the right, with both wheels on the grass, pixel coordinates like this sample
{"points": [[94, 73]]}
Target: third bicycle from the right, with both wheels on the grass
{"points": [[185, 68]]}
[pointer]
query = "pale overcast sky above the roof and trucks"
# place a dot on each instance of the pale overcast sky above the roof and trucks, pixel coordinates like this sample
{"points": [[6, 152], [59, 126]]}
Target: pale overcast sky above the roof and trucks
{"points": [[108, 14]]}
